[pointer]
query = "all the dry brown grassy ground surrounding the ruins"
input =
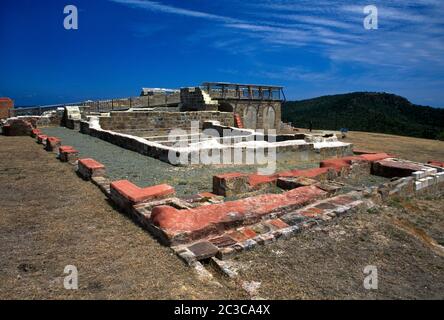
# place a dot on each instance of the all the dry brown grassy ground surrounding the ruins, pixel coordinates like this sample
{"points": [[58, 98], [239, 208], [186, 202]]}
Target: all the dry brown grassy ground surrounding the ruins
{"points": [[50, 218]]}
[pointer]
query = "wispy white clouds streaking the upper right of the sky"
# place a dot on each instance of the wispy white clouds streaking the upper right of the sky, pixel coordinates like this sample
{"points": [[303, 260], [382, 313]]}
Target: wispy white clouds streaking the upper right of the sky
{"points": [[410, 37]]}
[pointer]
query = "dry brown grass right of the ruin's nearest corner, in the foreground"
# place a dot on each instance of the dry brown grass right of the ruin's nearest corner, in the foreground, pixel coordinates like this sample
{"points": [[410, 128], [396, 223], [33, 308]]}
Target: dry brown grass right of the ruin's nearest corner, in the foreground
{"points": [[328, 262]]}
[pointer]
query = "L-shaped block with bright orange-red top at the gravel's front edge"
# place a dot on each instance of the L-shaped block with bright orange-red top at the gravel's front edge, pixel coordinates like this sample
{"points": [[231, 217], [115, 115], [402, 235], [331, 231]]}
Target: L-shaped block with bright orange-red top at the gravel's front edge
{"points": [[130, 193]]}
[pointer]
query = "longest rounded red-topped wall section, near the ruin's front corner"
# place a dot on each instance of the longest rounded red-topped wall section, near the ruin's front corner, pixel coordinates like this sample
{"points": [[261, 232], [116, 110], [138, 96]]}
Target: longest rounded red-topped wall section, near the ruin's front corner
{"points": [[181, 226]]}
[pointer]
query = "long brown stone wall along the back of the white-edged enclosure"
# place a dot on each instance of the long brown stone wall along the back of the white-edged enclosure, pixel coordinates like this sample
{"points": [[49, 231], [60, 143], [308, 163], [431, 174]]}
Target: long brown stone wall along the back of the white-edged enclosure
{"points": [[132, 122]]}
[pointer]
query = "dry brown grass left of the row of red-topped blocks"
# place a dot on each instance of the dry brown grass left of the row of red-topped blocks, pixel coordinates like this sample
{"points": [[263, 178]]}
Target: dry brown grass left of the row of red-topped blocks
{"points": [[50, 218]]}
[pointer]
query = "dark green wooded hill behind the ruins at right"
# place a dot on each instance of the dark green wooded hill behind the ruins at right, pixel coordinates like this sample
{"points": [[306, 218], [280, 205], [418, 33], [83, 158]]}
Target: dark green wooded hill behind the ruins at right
{"points": [[367, 111]]}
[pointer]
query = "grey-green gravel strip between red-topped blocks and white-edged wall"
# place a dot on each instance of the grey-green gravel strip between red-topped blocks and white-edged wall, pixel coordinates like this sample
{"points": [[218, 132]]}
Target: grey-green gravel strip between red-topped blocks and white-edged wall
{"points": [[146, 171]]}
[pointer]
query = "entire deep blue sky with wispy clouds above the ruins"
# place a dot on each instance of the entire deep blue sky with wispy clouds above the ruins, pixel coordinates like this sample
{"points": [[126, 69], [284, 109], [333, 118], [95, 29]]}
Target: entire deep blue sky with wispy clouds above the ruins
{"points": [[312, 47]]}
